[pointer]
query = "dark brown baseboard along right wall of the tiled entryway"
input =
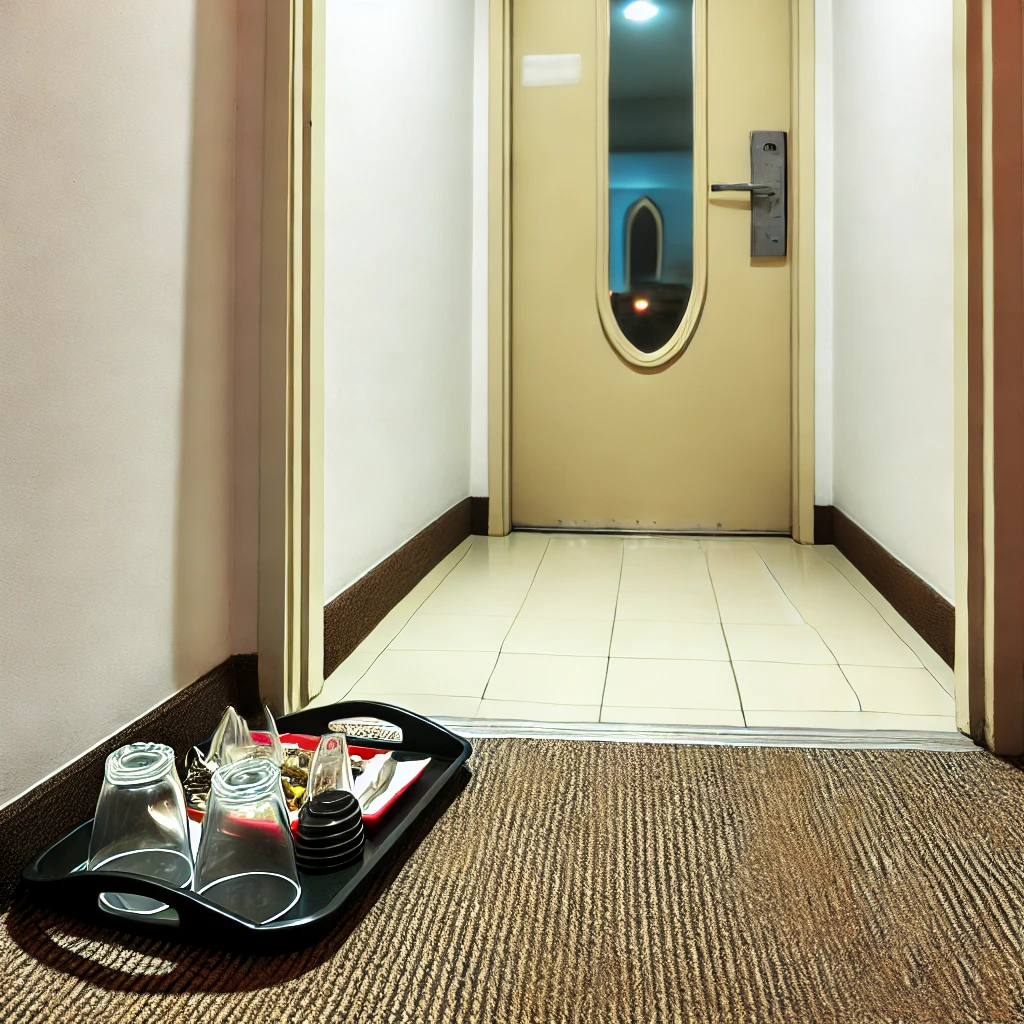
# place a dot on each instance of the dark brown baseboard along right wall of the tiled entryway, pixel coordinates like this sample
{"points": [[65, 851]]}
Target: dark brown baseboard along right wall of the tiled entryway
{"points": [[928, 612]]}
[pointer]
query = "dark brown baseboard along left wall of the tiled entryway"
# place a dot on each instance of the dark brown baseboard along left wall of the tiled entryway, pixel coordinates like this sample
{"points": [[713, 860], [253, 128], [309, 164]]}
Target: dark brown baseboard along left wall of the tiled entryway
{"points": [[351, 617]]}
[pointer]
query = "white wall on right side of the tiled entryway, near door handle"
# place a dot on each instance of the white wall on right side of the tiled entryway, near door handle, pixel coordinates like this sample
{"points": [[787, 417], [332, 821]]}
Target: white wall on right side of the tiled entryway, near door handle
{"points": [[893, 250]]}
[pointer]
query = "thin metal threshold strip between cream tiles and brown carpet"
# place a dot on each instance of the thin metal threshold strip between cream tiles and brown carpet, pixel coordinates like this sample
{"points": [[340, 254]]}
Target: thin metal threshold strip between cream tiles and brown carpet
{"points": [[704, 736]]}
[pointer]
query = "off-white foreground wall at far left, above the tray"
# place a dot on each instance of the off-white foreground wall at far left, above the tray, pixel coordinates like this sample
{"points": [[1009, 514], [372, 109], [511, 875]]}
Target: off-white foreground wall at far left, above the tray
{"points": [[116, 278]]}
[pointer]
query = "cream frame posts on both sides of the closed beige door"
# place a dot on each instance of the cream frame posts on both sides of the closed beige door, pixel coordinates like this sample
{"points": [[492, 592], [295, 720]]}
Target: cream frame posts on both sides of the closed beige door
{"points": [[500, 269]]}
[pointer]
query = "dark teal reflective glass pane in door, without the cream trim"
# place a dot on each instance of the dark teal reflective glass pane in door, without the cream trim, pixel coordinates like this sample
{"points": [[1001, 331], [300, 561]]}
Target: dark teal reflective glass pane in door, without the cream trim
{"points": [[651, 168]]}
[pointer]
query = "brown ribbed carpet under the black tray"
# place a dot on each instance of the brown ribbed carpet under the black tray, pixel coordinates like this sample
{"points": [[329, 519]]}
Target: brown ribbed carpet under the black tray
{"points": [[588, 882]]}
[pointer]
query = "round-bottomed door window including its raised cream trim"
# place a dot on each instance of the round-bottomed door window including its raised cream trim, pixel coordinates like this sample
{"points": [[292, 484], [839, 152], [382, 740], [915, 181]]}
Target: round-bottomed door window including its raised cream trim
{"points": [[652, 252]]}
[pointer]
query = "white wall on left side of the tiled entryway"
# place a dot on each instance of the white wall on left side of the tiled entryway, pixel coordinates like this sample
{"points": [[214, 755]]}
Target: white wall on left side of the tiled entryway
{"points": [[399, 276]]}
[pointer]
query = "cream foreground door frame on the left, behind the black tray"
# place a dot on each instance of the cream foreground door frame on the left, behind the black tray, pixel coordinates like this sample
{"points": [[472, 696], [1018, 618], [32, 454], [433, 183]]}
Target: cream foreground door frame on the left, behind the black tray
{"points": [[290, 630]]}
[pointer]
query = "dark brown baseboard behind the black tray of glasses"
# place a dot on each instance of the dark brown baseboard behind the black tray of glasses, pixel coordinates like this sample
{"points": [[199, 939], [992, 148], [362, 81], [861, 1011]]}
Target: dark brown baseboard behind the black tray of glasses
{"points": [[56, 806]]}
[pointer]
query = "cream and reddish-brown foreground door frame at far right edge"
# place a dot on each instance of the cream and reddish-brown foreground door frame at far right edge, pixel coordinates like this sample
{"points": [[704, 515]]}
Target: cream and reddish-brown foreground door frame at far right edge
{"points": [[990, 372]]}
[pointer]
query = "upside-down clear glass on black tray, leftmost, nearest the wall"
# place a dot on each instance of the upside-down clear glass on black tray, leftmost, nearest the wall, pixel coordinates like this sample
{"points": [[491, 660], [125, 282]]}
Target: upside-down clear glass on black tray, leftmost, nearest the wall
{"points": [[141, 826]]}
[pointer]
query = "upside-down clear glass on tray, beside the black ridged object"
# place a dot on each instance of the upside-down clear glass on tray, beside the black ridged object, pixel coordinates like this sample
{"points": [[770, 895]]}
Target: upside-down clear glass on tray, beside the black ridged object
{"points": [[246, 860]]}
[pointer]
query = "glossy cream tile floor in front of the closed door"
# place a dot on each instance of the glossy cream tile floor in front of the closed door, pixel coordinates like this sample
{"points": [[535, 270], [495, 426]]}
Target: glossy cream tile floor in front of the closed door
{"points": [[662, 631]]}
